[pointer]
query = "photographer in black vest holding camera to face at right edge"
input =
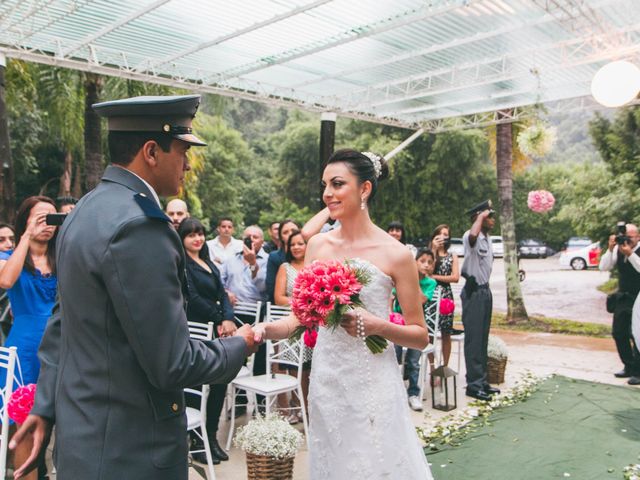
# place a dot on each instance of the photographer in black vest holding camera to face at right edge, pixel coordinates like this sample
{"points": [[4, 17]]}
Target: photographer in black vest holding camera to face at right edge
{"points": [[622, 253]]}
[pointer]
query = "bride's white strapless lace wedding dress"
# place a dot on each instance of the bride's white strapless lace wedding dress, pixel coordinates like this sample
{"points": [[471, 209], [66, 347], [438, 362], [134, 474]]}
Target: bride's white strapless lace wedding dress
{"points": [[360, 426]]}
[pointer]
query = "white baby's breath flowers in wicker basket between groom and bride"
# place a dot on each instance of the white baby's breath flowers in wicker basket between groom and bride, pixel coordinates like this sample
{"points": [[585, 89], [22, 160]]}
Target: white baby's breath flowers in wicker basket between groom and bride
{"points": [[271, 436]]}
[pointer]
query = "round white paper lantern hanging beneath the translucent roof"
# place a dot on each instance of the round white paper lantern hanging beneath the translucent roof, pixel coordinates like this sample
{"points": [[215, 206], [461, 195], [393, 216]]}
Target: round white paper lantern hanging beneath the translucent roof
{"points": [[616, 83]]}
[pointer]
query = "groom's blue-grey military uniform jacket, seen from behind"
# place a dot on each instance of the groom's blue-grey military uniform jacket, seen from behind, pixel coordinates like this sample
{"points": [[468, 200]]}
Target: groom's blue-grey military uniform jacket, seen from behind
{"points": [[116, 353]]}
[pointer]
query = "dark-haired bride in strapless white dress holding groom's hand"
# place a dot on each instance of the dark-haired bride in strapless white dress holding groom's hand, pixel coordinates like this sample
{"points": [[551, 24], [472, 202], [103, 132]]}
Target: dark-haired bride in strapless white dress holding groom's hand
{"points": [[360, 426]]}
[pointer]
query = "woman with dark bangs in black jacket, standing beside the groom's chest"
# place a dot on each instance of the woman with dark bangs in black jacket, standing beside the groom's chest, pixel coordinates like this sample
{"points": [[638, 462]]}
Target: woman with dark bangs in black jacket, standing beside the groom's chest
{"points": [[207, 301]]}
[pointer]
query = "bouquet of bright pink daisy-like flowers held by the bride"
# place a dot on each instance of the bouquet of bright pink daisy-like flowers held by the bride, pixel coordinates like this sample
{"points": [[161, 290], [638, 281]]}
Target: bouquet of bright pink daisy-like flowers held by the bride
{"points": [[322, 293]]}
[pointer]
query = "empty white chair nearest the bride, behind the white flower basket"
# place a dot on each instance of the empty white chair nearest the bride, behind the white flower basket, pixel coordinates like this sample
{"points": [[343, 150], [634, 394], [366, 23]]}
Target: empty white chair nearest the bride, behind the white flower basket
{"points": [[271, 385]]}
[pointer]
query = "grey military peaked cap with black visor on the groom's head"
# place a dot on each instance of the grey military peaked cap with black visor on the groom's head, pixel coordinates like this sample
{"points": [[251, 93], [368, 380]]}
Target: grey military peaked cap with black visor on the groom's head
{"points": [[171, 115]]}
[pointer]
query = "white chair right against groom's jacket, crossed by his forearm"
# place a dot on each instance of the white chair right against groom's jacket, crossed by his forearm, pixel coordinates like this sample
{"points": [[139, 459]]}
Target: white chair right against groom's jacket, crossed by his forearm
{"points": [[197, 417]]}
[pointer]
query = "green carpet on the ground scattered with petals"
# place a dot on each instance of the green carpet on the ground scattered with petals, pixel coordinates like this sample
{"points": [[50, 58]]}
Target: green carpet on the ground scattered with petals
{"points": [[567, 429]]}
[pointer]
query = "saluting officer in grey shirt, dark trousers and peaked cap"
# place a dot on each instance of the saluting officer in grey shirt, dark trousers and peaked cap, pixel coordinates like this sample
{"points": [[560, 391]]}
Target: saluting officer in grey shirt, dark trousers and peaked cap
{"points": [[477, 301]]}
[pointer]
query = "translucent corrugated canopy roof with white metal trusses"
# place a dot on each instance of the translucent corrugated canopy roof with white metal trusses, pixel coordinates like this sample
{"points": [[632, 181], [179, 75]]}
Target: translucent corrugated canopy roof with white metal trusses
{"points": [[436, 64]]}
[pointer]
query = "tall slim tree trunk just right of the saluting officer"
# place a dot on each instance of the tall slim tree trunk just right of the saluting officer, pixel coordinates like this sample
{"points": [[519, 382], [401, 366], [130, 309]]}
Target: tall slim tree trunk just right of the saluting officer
{"points": [[516, 311]]}
